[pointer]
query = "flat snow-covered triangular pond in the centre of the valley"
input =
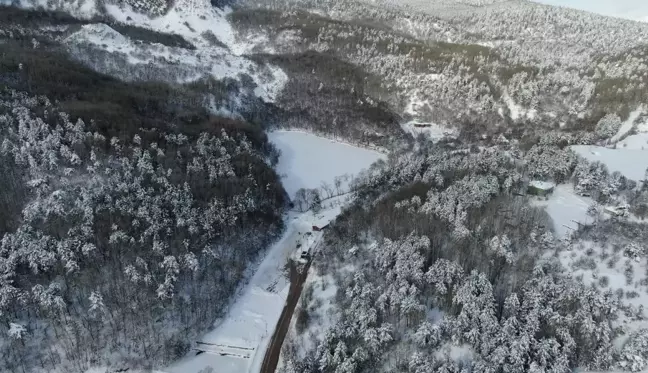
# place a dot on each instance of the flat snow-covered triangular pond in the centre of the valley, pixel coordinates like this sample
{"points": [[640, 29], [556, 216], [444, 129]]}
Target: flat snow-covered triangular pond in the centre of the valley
{"points": [[308, 160]]}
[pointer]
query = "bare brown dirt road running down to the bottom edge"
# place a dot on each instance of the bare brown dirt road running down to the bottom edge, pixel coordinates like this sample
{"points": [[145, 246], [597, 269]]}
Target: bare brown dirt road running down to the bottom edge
{"points": [[297, 280]]}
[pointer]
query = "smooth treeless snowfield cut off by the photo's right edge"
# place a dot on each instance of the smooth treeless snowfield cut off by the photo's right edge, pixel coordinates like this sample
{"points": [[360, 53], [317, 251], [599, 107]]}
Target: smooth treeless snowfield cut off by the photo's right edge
{"points": [[632, 163]]}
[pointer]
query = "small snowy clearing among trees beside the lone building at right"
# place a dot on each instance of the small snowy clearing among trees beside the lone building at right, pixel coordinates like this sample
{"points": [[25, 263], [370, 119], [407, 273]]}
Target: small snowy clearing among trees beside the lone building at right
{"points": [[566, 208]]}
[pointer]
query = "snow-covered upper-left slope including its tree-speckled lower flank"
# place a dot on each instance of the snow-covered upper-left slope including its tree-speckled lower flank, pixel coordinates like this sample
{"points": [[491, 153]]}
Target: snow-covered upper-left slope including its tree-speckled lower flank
{"points": [[216, 51]]}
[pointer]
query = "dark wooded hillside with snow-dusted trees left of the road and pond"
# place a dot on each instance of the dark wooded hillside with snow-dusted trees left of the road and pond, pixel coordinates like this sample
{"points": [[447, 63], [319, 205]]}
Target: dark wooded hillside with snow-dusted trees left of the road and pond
{"points": [[119, 235]]}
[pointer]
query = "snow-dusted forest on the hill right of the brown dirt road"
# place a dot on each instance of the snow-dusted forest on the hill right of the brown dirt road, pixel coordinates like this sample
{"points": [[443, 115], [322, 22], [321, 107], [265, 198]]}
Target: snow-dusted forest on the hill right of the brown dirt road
{"points": [[441, 265]]}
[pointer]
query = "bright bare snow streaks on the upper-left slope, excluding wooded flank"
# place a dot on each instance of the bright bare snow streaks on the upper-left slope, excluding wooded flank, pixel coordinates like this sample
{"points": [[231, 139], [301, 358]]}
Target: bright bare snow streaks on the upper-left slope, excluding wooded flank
{"points": [[193, 20]]}
